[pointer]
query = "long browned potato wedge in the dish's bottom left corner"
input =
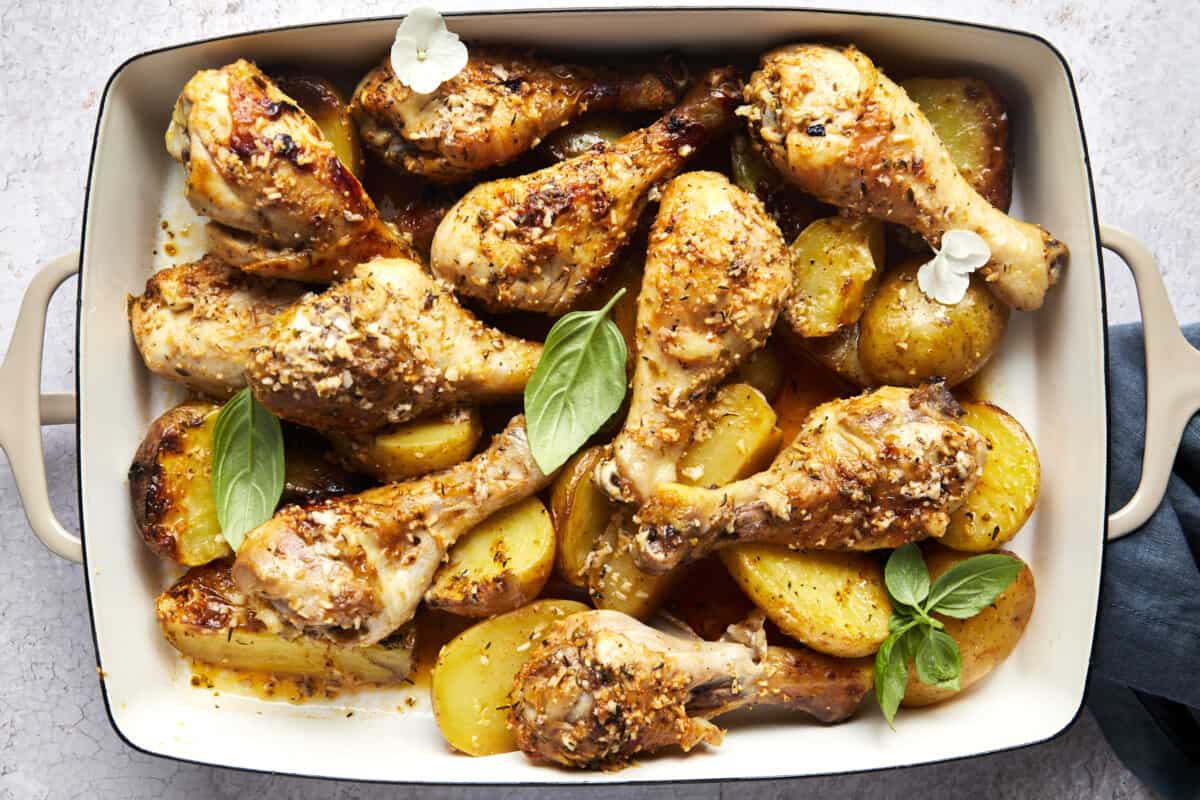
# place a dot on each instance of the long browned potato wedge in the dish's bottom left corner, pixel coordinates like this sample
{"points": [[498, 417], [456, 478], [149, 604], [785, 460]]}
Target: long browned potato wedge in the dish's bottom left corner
{"points": [[208, 618]]}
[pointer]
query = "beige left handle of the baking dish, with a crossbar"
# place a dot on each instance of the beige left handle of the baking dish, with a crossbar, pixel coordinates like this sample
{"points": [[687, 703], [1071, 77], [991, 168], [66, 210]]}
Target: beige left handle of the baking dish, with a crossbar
{"points": [[25, 410]]}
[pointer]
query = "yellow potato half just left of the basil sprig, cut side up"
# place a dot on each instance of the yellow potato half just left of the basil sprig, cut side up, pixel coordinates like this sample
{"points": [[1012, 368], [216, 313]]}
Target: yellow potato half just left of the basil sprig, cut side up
{"points": [[833, 603]]}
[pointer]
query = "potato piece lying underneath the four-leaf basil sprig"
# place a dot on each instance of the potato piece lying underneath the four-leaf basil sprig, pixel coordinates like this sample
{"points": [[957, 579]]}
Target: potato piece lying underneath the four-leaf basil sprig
{"points": [[985, 640]]}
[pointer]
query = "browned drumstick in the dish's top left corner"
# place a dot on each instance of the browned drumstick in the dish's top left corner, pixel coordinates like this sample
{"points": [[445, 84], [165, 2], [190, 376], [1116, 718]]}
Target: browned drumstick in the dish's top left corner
{"points": [[281, 202]]}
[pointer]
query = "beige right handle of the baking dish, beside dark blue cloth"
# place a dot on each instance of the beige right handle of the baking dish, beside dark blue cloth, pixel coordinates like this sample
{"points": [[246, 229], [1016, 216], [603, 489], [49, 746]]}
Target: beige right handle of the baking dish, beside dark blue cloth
{"points": [[1173, 382]]}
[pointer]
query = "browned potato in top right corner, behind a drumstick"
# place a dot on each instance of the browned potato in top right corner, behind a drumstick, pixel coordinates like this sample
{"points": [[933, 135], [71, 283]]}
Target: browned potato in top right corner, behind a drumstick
{"points": [[971, 121]]}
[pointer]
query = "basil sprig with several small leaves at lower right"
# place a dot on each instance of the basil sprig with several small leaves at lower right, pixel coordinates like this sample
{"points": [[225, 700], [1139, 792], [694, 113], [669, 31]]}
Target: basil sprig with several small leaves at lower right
{"points": [[962, 592]]}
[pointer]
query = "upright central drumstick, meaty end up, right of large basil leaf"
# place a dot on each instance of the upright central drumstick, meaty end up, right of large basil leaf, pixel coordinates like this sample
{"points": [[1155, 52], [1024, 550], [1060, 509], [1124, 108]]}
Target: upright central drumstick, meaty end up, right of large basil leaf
{"points": [[717, 276]]}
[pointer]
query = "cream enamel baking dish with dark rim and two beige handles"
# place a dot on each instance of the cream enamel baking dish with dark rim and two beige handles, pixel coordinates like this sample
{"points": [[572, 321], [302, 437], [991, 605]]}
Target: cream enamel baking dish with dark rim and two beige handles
{"points": [[1051, 375]]}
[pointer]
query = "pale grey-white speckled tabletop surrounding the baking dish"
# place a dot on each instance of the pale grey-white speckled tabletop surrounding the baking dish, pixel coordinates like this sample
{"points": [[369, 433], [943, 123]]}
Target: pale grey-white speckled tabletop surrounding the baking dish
{"points": [[1136, 64]]}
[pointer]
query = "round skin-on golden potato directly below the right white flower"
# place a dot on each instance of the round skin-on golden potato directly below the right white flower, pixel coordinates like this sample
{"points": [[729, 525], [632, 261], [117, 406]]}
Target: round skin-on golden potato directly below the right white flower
{"points": [[905, 338]]}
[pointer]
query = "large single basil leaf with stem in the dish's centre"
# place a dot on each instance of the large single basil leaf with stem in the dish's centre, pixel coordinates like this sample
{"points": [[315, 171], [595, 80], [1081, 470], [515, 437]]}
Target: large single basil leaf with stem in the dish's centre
{"points": [[579, 384]]}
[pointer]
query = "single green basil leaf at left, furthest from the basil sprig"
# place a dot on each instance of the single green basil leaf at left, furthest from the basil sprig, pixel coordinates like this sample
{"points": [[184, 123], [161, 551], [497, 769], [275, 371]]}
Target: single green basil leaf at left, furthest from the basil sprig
{"points": [[248, 466]]}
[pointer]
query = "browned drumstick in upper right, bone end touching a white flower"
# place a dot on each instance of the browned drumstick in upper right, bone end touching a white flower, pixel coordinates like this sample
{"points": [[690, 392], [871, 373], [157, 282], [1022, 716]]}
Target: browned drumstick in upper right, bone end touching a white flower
{"points": [[841, 130]]}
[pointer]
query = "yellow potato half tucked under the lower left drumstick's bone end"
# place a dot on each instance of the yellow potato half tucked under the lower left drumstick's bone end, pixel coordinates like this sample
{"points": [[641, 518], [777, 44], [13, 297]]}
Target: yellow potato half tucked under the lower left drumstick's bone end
{"points": [[500, 566]]}
